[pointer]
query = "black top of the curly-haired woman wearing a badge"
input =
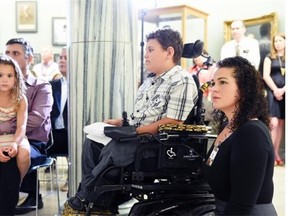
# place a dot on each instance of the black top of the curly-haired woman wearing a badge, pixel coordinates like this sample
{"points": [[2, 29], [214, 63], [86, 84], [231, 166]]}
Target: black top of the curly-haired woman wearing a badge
{"points": [[242, 171]]}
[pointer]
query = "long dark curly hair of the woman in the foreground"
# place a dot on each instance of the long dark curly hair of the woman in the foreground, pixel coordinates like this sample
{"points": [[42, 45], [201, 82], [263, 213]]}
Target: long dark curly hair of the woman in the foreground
{"points": [[251, 103]]}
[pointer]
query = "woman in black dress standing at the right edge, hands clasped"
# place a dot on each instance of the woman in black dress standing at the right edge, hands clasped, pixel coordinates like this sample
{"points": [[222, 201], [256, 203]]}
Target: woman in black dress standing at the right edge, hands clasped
{"points": [[274, 76]]}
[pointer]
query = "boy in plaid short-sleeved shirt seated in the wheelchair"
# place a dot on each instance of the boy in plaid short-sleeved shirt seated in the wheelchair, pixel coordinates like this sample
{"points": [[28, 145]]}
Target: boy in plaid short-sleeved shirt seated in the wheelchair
{"points": [[167, 96]]}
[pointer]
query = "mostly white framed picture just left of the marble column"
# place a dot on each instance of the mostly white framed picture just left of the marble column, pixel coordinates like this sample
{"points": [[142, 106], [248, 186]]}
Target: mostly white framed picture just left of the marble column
{"points": [[59, 26]]}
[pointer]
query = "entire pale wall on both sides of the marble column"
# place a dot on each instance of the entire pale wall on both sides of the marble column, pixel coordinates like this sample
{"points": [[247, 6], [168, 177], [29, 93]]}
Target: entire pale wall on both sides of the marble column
{"points": [[218, 10]]}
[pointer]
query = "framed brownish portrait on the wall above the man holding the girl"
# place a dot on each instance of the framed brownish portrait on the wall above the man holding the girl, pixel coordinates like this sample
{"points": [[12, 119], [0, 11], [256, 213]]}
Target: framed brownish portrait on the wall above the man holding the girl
{"points": [[26, 16]]}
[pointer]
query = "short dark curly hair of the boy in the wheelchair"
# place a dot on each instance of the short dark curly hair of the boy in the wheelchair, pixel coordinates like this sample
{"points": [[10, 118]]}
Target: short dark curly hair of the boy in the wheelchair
{"points": [[168, 37]]}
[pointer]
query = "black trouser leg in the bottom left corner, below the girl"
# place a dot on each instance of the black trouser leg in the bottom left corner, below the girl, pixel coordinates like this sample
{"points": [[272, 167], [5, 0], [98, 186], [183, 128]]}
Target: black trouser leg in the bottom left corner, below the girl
{"points": [[9, 187]]}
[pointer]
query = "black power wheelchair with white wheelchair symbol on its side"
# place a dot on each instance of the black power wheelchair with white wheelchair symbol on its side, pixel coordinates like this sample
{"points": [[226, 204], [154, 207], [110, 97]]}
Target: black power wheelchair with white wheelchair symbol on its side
{"points": [[167, 176]]}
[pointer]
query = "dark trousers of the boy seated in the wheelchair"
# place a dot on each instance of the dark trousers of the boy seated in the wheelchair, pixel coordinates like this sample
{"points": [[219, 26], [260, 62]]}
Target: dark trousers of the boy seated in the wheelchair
{"points": [[95, 160]]}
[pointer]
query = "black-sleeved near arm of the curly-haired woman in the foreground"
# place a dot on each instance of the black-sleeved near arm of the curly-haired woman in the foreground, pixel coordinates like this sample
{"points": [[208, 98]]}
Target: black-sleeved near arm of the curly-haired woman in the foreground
{"points": [[250, 155]]}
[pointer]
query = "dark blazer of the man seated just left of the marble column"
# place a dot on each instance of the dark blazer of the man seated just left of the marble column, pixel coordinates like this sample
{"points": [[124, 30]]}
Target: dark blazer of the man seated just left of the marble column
{"points": [[56, 108]]}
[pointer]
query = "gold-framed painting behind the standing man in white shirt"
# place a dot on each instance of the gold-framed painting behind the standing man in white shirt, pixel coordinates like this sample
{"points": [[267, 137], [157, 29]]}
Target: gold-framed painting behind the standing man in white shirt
{"points": [[253, 25]]}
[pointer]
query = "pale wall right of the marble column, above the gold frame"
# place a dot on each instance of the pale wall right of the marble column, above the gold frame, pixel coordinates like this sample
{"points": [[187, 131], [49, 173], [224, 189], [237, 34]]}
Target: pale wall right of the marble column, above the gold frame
{"points": [[221, 10]]}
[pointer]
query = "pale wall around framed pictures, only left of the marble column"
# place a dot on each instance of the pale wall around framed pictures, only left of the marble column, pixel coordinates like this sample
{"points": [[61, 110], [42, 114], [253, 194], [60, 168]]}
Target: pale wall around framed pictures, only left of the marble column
{"points": [[46, 10]]}
